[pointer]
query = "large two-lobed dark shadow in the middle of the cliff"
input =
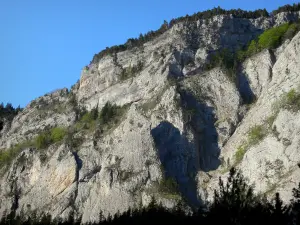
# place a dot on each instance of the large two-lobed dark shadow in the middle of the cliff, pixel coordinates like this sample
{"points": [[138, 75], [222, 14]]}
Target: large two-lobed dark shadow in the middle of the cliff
{"points": [[196, 149]]}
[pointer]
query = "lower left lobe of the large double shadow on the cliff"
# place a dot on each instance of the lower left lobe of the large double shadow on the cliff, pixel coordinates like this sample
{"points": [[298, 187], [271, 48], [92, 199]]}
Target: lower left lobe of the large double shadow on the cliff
{"points": [[176, 156]]}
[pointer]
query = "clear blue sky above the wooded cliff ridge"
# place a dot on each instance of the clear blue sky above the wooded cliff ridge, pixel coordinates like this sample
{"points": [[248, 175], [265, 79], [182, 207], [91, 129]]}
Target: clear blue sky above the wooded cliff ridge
{"points": [[44, 44]]}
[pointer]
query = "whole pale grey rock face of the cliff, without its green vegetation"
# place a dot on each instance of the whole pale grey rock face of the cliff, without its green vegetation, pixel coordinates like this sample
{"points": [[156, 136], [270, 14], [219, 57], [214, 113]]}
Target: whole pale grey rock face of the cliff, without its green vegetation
{"points": [[188, 131]]}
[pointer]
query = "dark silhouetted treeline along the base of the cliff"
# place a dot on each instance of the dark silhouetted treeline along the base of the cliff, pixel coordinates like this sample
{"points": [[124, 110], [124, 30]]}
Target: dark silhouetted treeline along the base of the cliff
{"points": [[234, 203]]}
